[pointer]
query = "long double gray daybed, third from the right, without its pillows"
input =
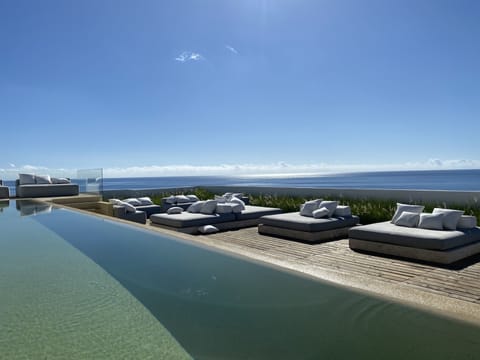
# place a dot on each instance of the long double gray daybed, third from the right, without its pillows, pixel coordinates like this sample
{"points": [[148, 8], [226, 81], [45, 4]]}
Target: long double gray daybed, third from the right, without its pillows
{"points": [[188, 222]]}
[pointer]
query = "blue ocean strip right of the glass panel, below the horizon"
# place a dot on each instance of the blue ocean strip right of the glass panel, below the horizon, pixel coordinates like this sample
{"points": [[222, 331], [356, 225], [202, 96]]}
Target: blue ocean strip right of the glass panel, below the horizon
{"points": [[462, 180]]}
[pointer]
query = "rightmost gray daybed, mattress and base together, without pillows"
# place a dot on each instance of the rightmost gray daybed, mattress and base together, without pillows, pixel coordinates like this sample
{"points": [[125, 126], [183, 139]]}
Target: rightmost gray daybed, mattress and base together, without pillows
{"points": [[438, 246]]}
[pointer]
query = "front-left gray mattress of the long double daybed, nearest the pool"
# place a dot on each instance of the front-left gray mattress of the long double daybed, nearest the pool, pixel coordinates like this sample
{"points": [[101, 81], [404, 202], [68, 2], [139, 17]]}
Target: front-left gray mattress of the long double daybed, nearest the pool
{"points": [[186, 219]]}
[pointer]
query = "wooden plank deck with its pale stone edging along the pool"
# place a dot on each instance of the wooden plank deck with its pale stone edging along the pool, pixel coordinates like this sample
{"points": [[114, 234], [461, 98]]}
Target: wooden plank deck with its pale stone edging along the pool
{"points": [[410, 283]]}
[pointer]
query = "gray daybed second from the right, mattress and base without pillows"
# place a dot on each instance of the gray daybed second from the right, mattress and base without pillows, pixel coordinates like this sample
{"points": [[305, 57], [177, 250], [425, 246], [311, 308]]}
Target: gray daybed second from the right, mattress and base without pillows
{"points": [[304, 228]]}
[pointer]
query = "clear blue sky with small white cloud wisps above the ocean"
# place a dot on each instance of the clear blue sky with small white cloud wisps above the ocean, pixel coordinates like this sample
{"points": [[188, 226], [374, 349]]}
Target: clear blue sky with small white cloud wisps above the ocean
{"points": [[185, 87]]}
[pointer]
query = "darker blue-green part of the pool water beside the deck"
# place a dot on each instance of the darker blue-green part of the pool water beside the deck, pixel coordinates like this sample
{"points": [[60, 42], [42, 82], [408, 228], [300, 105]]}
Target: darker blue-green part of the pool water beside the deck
{"points": [[220, 306]]}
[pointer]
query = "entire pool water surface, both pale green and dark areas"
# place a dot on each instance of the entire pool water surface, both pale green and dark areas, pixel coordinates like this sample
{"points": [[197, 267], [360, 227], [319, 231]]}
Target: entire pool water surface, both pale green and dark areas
{"points": [[80, 285]]}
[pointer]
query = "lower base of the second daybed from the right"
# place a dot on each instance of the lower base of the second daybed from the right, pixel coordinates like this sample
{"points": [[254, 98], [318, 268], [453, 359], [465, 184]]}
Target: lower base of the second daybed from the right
{"points": [[304, 236]]}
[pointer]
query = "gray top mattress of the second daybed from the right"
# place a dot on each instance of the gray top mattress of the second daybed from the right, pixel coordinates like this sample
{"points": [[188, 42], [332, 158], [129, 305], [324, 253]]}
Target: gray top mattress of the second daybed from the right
{"points": [[295, 221]]}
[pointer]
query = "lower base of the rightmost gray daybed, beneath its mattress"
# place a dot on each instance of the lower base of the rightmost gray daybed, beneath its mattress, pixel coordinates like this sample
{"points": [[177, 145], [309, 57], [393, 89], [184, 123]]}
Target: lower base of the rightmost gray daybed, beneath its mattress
{"points": [[434, 256]]}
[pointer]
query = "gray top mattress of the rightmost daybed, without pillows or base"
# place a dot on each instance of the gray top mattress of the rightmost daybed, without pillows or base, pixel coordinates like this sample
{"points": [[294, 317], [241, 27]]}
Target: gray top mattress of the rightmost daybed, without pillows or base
{"points": [[386, 232]]}
